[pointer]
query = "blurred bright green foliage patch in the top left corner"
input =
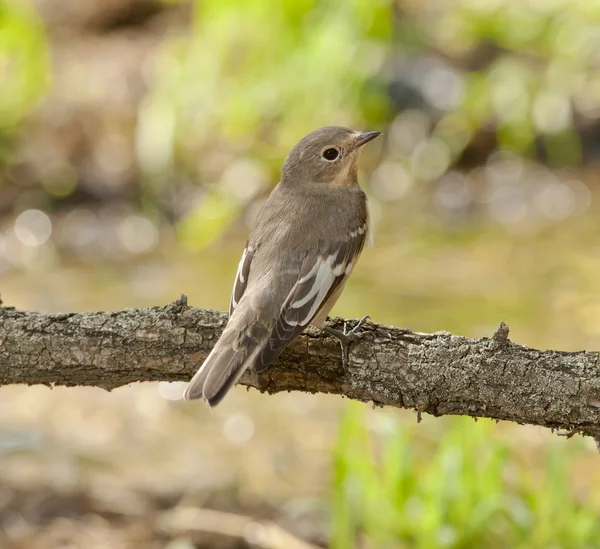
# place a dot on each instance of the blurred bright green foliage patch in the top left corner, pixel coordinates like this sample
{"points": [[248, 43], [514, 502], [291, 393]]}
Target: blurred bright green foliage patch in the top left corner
{"points": [[24, 62]]}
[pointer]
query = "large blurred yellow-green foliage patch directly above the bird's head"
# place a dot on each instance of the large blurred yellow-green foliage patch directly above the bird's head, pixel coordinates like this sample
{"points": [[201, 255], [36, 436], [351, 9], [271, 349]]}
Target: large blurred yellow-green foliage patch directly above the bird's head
{"points": [[253, 77]]}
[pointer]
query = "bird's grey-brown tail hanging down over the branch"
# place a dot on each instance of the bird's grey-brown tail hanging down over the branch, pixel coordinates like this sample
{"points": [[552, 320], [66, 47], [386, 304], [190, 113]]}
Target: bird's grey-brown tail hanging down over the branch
{"points": [[237, 350]]}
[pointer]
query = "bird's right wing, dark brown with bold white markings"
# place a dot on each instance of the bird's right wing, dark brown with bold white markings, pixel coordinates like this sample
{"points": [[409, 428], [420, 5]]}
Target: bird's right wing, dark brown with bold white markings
{"points": [[321, 272]]}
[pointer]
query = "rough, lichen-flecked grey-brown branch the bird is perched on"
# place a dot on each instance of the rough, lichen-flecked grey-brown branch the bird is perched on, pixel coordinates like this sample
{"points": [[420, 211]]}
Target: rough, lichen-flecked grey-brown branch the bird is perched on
{"points": [[436, 373]]}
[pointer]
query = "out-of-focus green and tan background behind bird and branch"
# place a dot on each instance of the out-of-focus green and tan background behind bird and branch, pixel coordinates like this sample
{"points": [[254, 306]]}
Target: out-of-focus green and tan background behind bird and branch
{"points": [[138, 139]]}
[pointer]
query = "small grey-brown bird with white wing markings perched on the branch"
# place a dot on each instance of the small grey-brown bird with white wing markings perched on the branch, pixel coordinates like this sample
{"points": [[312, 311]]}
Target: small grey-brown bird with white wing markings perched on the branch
{"points": [[306, 241]]}
